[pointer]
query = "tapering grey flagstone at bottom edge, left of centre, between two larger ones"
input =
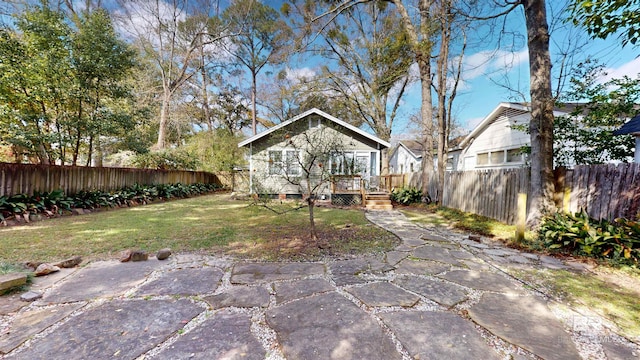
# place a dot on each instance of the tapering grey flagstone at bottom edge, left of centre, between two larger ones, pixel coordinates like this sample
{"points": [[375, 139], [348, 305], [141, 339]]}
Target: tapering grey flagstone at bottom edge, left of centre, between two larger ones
{"points": [[232, 340]]}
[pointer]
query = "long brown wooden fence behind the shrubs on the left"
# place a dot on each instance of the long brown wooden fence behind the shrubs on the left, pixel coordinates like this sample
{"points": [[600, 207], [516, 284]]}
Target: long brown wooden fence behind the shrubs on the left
{"points": [[27, 178]]}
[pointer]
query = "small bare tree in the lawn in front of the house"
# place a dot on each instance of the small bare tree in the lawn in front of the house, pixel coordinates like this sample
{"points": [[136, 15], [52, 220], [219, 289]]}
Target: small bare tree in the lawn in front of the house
{"points": [[301, 164]]}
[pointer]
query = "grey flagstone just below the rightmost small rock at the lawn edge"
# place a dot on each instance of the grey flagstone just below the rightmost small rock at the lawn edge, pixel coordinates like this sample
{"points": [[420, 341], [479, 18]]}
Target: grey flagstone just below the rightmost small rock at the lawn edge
{"points": [[190, 281]]}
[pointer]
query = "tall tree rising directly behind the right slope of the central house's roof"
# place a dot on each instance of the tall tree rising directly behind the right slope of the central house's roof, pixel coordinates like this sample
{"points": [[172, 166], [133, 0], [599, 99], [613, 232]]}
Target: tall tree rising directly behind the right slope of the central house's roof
{"points": [[370, 64]]}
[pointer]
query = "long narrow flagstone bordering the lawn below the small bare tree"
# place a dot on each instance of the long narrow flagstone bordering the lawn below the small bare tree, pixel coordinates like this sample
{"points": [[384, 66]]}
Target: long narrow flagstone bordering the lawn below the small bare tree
{"points": [[251, 273]]}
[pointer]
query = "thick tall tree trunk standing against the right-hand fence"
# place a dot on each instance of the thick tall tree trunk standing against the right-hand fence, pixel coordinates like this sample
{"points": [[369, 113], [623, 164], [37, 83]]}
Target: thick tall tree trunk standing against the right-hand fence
{"points": [[541, 125]]}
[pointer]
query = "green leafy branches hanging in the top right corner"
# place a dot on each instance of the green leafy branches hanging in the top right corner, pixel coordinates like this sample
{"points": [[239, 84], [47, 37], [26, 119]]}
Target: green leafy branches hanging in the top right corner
{"points": [[603, 18]]}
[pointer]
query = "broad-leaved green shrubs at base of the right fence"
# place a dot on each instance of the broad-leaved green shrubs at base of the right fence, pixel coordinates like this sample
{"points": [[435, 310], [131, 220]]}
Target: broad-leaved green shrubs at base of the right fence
{"points": [[617, 240]]}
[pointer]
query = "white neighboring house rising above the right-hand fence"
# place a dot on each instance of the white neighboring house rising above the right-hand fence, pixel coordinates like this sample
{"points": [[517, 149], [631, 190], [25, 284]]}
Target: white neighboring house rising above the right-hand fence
{"points": [[495, 143]]}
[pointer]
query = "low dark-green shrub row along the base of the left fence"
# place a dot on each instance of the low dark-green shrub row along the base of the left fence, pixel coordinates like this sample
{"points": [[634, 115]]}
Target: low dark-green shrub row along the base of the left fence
{"points": [[55, 202]]}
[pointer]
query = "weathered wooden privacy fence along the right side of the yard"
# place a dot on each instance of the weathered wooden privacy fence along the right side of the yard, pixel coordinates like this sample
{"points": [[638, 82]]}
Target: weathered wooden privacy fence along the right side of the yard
{"points": [[604, 191]]}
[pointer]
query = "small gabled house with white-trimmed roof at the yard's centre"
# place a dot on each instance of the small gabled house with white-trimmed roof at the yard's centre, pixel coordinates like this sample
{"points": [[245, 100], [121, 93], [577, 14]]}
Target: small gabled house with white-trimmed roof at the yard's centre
{"points": [[273, 154]]}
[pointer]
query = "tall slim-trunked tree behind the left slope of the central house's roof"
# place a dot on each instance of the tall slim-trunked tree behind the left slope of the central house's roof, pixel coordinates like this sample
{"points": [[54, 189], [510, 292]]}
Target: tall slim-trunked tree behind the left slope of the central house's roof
{"points": [[261, 40]]}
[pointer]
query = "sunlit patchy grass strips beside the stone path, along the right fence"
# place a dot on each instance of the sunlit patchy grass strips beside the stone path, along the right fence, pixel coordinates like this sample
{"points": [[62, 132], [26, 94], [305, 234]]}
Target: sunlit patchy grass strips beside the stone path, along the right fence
{"points": [[610, 291]]}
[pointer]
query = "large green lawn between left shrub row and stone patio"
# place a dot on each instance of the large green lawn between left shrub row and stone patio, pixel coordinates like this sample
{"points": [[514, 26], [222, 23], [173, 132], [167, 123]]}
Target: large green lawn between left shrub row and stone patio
{"points": [[210, 224]]}
